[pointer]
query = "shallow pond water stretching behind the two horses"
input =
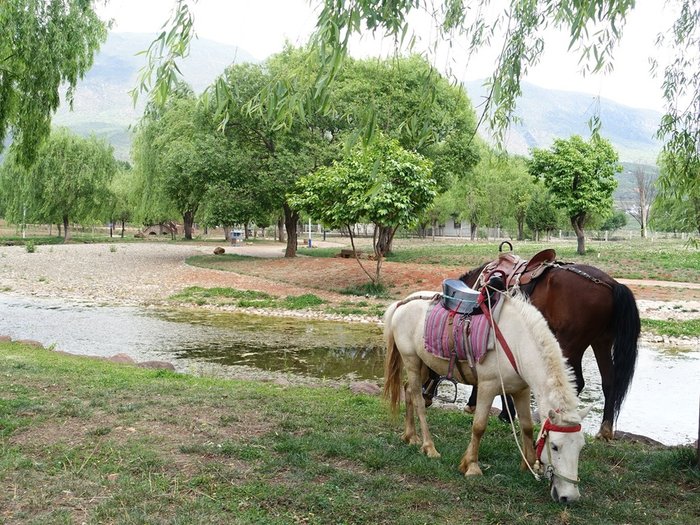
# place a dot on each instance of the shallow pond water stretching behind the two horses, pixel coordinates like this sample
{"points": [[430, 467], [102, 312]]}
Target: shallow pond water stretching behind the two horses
{"points": [[662, 402]]}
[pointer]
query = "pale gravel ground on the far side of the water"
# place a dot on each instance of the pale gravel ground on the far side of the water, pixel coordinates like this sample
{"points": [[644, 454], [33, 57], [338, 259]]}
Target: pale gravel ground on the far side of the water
{"points": [[127, 274]]}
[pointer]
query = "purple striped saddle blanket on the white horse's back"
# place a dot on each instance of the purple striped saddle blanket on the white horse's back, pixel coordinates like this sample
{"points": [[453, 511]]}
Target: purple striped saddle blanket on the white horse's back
{"points": [[468, 335]]}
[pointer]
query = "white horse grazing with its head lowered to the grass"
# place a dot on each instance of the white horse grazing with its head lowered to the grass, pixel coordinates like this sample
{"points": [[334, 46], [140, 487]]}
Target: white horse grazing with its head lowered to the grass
{"points": [[540, 367]]}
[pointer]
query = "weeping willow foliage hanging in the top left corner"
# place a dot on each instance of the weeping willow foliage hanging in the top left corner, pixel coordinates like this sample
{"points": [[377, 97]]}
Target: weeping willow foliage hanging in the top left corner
{"points": [[44, 45]]}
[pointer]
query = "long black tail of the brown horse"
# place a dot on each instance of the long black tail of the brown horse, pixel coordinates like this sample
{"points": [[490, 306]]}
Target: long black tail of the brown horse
{"points": [[627, 329]]}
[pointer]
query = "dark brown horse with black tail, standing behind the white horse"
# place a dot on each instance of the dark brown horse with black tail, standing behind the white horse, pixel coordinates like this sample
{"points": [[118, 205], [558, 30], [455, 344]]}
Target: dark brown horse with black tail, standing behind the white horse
{"points": [[585, 307]]}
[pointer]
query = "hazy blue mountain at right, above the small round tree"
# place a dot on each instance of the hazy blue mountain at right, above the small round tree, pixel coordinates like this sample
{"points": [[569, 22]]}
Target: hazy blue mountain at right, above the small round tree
{"points": [[547, 114]]}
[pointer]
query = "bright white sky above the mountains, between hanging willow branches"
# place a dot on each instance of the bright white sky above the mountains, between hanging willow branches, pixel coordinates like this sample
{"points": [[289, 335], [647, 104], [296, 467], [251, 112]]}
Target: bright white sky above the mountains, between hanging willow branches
{"points": [[261, 27]]}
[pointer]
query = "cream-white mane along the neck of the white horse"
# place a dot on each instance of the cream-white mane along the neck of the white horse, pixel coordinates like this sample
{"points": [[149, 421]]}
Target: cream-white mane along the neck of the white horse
{"points": [[561, 379]]}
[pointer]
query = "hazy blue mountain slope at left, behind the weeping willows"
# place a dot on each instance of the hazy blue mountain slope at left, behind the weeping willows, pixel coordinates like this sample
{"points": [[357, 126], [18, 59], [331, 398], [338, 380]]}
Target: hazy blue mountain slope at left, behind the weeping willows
{"points": [[102, 103]]}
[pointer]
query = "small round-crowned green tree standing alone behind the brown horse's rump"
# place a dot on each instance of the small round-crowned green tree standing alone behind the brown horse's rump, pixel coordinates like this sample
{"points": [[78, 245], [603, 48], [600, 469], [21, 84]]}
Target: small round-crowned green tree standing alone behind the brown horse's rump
{"points": [[580, 176]]}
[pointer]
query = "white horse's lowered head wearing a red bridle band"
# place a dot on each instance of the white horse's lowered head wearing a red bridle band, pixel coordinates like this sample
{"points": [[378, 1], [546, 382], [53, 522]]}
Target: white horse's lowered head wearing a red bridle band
{"points": [[558, 447]]}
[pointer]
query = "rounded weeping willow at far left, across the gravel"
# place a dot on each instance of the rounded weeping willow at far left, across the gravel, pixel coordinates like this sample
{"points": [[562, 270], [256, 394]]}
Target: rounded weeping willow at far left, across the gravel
{"points": [[69, 182]]}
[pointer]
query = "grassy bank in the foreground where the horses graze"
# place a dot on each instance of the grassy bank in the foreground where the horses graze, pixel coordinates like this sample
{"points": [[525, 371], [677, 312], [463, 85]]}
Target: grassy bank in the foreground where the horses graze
{"points": [[90, 441]]}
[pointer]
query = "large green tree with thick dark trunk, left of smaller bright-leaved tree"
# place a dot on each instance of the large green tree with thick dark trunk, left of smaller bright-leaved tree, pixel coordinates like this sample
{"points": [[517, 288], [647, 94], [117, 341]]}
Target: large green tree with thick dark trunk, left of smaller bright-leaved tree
{"points": [[282, 153]]}
